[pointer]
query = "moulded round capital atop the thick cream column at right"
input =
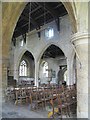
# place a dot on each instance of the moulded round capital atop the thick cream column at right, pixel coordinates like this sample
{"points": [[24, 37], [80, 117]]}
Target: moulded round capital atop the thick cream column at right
{"points": [[80, 38]]}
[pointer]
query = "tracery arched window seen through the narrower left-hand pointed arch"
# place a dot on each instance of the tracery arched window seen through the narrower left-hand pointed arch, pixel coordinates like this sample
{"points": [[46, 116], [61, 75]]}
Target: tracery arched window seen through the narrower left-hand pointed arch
{"points": [[23, 68]]}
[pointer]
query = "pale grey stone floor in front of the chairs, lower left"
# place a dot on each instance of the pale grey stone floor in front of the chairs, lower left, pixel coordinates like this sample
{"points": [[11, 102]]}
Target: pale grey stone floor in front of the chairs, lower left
{"points": [[10, 110]]}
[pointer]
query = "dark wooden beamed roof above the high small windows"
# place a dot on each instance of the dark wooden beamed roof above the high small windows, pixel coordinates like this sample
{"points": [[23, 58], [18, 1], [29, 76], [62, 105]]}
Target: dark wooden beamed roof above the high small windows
{"points": [[38, 14]]}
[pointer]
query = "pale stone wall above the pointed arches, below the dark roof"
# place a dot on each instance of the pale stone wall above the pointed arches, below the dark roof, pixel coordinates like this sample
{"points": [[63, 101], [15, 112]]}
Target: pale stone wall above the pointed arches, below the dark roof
{"points": [[37, 46]]}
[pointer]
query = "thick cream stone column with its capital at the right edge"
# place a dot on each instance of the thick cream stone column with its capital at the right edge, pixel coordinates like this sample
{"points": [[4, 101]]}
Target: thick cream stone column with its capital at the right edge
{"points": [[80, 41]]}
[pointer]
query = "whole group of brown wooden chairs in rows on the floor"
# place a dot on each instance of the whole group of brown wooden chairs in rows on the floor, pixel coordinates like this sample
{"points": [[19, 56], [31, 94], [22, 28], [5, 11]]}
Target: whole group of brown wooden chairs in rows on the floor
{"points": [[59, 98]]}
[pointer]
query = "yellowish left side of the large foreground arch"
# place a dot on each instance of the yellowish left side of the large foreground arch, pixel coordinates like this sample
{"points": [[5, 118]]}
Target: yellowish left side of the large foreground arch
{"points": [[9, 21]]}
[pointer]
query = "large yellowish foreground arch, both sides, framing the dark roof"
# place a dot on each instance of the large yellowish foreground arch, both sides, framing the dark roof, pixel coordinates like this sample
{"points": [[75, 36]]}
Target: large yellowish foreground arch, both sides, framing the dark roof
{"points": [[13, 18]]}
